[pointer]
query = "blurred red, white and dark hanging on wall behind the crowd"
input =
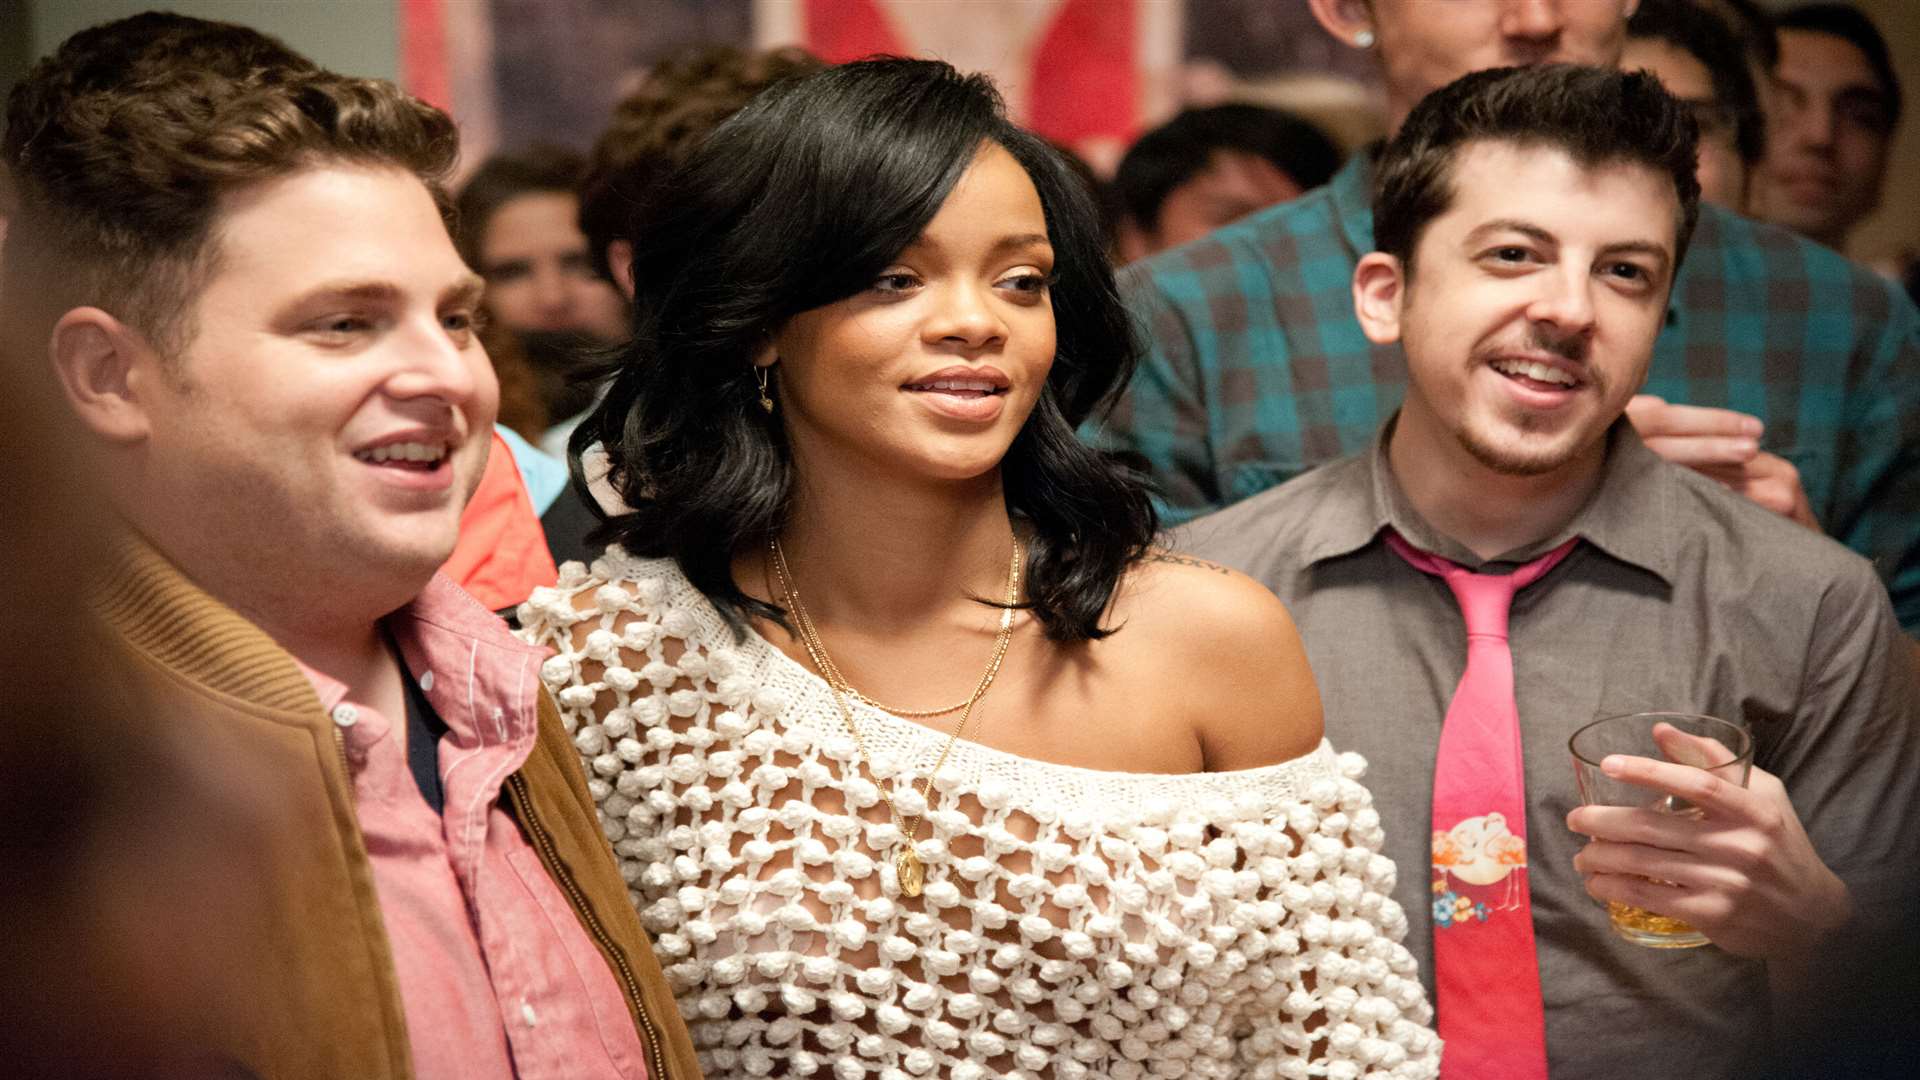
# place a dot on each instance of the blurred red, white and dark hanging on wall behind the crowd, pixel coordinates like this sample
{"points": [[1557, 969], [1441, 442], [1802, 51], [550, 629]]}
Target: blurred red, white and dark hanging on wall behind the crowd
{"points": [[1088, 74]]}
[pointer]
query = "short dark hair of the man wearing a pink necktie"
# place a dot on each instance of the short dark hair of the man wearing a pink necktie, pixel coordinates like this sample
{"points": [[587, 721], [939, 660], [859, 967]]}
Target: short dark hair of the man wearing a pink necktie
{"points": [[1596, 116]]}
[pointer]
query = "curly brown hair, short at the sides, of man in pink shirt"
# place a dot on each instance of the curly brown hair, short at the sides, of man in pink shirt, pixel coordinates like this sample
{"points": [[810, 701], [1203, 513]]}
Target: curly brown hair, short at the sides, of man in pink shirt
{"points": [[126, 139]]}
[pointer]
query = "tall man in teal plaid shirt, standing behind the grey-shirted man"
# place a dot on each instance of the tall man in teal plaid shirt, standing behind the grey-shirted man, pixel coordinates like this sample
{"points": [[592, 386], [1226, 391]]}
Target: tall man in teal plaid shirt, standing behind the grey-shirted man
{"points": [[1800, 372]]}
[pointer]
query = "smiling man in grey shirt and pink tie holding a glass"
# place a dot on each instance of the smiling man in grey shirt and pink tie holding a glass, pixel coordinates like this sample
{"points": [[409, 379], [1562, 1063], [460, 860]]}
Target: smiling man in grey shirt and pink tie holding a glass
{"points": [[1531, 224]]}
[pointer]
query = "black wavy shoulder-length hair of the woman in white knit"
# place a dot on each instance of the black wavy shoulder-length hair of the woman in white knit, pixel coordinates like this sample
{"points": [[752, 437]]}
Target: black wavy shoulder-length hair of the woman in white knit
{"points": [[796, 203]]}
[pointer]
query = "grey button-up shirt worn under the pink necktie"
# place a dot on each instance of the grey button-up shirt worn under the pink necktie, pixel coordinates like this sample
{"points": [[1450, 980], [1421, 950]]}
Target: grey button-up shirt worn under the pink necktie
{"points": [[1681, 597]]}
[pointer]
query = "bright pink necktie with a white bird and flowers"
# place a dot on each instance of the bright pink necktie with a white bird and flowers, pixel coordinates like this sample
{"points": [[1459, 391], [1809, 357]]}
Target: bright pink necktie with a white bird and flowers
{"points": [[1487, 975]]}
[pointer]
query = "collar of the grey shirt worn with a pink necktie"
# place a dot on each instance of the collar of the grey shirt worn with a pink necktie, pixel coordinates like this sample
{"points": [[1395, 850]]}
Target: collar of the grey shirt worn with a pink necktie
{"points": [[1629, 516]]}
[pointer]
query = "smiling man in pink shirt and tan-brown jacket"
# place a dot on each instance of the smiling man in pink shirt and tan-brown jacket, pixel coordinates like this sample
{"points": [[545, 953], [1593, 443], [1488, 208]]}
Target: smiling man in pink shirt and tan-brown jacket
{"points": [[239, 268]]}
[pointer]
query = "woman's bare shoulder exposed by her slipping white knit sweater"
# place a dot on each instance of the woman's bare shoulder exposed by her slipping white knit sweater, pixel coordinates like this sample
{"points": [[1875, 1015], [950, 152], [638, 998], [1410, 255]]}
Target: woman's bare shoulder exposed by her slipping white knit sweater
{"points": [[1241, 672]]}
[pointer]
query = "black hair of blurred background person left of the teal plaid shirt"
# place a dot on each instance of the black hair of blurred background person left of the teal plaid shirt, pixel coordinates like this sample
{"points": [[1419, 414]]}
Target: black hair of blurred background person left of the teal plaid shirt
{"points": [[1182, 149]]}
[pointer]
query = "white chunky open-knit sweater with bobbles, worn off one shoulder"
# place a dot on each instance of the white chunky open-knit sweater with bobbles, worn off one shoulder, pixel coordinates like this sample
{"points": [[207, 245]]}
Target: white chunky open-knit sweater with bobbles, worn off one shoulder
{"points": [[1074, 923]]}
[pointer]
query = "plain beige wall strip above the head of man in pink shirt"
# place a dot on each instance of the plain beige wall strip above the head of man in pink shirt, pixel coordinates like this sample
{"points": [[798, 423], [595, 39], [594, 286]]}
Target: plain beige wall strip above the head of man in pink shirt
{"points": [[356, 37]]}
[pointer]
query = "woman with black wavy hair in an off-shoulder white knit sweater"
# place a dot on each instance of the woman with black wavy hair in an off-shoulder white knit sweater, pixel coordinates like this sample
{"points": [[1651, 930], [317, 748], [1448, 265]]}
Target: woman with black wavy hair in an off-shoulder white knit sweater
{"points": [[1095, 820]]}
